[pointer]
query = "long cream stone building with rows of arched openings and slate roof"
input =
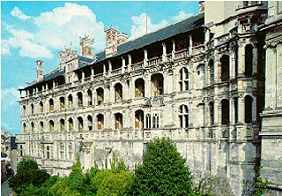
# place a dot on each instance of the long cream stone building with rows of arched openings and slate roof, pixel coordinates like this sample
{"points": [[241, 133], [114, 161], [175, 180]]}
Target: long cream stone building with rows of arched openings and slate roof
{"points": [[203, 87]]}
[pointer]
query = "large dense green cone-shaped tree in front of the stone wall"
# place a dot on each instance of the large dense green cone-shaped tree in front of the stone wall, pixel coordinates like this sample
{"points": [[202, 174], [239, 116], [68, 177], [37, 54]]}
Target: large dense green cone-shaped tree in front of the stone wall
{"points": [[163, 171]]}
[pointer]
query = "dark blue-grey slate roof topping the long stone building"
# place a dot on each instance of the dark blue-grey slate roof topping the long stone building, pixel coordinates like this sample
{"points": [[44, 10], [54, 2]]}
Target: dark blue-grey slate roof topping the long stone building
{"points": [[162, 34]]}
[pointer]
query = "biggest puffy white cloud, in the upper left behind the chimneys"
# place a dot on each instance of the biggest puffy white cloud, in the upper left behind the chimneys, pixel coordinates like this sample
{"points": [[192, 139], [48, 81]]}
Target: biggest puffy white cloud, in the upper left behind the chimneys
{"points": [[55, 30]]}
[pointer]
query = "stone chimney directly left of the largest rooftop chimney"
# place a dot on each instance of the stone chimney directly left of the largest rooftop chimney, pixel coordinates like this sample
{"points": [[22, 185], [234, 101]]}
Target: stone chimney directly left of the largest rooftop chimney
{"points": [[86, 50]]}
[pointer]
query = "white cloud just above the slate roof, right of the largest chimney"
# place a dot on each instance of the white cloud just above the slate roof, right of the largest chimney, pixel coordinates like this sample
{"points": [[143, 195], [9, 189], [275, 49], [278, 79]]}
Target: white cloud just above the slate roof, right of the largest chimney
{"points": [[139, 23]]}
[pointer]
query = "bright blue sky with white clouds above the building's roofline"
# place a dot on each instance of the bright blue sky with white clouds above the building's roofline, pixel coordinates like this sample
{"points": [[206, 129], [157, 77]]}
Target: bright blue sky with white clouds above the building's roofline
{"points": [[38, 30]]}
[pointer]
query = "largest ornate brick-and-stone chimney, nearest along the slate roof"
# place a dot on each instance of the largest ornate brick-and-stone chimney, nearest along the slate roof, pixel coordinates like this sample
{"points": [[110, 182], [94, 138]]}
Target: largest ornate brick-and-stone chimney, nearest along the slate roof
{"points": [[113, 39]]}
